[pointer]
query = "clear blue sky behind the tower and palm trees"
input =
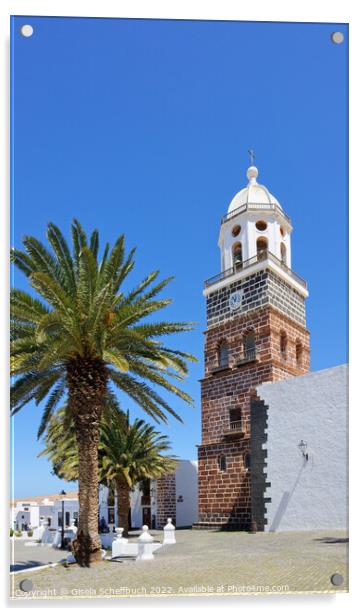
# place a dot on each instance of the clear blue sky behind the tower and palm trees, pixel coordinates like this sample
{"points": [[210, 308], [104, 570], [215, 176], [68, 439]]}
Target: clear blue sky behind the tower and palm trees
{"points": [[142, 127]]}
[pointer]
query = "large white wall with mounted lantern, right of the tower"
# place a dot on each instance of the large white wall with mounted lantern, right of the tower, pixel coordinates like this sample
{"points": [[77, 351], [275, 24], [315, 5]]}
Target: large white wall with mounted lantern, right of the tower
{"points": [[308, 494]]}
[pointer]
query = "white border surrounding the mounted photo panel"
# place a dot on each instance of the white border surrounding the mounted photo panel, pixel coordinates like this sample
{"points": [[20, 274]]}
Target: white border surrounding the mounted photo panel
{"points": [[262, 10]]}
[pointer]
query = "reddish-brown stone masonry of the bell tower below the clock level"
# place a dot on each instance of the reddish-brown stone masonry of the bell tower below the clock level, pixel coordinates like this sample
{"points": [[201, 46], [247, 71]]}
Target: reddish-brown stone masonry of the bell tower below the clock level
{"points": [[225, 496]]}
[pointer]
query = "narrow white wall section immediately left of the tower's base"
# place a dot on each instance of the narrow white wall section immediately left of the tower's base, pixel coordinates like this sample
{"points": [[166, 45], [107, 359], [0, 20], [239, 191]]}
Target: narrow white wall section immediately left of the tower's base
{"points": [[186, 493]]}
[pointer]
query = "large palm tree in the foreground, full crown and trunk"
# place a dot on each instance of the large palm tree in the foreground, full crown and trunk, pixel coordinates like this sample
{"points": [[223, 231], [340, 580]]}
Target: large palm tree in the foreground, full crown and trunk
{"points": [[81, 334]]}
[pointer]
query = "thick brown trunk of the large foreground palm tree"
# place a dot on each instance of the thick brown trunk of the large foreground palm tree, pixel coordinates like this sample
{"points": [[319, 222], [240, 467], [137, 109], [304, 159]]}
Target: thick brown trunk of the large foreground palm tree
{"points": [[87, 386]]}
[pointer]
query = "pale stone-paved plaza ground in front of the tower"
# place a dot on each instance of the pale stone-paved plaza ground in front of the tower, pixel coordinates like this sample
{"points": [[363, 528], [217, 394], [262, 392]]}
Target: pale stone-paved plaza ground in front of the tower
{"points": [[205, 562]]}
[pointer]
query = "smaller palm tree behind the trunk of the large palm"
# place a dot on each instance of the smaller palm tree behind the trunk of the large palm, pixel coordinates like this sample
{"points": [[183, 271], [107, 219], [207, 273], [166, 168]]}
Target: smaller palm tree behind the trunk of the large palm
{"points": [[129, 453]]}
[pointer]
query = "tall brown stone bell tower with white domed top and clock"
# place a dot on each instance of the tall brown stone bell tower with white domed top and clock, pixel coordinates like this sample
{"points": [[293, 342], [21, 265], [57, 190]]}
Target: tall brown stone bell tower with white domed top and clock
{"points": [[256, 332]]}
